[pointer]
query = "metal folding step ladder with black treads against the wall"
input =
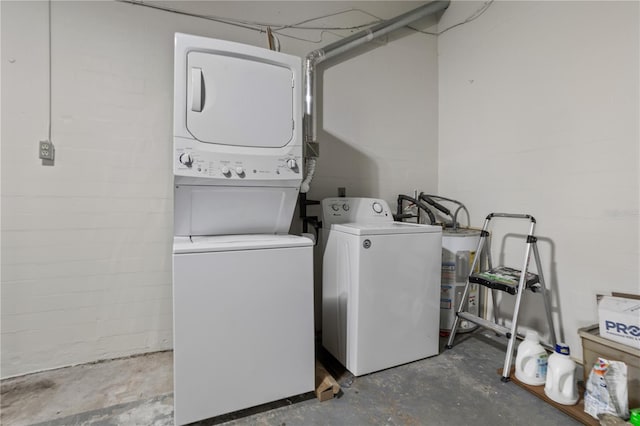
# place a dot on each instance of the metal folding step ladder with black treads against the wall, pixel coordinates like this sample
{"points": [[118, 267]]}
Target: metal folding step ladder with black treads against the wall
{"points": [[507, 280]]}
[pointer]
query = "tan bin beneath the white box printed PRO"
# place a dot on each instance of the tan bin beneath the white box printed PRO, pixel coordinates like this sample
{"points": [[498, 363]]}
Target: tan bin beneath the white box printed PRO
{"points": [[594, 347]]}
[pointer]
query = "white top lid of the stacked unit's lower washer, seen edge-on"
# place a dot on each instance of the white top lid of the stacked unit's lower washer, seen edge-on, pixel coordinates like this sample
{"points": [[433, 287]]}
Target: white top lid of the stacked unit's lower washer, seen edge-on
{"points": [[183, 245]]}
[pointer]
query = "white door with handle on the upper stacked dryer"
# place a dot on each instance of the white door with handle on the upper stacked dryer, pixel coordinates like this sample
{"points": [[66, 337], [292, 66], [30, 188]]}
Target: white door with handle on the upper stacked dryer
{"points": [[239, 101]]}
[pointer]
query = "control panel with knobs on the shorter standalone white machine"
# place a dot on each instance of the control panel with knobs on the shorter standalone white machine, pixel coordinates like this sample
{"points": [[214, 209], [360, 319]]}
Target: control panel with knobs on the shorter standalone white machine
{"points": [[349, 209]]}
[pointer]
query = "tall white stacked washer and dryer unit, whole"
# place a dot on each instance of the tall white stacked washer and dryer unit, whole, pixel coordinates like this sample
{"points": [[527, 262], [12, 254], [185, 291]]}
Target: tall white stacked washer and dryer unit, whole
{"points": [[242, 287]]}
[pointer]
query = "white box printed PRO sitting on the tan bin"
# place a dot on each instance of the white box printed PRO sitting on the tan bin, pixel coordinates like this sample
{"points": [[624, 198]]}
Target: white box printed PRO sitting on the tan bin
{"points": [[619, 320]]}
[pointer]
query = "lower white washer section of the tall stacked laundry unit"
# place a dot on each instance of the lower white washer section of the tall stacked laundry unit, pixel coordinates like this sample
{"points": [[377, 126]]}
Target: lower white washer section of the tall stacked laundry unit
{"points": [[243, 322]]}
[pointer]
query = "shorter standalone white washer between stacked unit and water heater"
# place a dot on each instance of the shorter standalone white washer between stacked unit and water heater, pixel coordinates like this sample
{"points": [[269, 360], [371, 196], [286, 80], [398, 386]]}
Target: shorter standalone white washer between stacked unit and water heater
{"points": [[381, 286]]}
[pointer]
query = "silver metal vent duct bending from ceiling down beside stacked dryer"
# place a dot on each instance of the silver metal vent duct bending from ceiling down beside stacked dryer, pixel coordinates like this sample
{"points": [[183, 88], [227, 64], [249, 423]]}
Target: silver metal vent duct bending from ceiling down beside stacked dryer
{"points": [[344, 45]]}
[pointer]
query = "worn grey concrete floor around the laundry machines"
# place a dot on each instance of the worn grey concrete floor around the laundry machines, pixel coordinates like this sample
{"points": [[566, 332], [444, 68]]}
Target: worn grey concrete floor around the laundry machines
{"points": [[458, 387]]}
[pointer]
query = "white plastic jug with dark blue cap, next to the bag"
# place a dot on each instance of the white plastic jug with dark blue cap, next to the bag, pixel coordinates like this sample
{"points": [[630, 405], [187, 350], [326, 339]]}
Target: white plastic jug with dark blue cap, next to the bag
{"points": [[561, 377]]}
